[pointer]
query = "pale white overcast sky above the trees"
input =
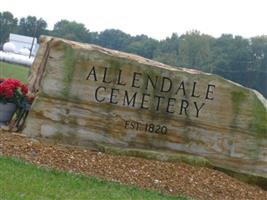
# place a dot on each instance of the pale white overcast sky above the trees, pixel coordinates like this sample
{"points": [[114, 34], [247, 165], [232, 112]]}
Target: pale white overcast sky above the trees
{"points": [[156, 18]]}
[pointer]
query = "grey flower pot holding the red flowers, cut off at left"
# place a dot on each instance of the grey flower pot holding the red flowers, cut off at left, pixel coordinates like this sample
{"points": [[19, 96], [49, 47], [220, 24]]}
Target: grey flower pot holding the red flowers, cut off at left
{"points": [[6, 112]]}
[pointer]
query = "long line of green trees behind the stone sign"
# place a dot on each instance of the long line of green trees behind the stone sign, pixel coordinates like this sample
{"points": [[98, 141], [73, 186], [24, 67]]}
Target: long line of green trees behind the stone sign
{"points": [[243, 60]]}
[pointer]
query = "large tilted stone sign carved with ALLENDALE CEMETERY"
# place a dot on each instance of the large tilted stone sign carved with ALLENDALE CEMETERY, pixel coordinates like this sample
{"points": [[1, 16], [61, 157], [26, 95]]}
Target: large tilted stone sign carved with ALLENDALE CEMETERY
{"points": [[89, 95]]}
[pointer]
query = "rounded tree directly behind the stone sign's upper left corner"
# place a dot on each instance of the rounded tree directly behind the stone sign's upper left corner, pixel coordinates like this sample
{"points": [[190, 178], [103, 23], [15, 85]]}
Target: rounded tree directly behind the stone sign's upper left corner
{"points": [[71, 30]]}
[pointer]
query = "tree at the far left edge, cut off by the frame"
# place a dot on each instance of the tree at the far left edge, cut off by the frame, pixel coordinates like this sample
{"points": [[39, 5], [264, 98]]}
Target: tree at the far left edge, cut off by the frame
{"points": [[8, 24]]}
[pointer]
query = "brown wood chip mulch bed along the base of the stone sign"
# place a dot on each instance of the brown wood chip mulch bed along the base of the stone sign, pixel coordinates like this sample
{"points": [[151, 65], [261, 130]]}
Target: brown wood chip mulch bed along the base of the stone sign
{"points": [[173, 178]]}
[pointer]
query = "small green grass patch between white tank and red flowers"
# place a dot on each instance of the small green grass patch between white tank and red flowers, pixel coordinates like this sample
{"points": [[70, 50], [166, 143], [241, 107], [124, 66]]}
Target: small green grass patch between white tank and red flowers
{"points": [[19, 72]]}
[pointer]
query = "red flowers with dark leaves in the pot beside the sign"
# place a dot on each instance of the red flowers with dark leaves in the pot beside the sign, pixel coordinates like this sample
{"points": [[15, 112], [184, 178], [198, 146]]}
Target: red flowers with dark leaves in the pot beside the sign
{"points": [[13, 91]]}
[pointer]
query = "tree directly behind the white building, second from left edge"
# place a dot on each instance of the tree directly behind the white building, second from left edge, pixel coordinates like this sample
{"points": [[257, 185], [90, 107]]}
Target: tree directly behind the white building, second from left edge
{"points": [[31, 26]]}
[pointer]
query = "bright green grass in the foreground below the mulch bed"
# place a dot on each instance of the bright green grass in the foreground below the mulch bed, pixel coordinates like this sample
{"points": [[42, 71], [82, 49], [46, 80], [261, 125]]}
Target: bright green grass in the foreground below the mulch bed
{"points": [[20, 180]]}
